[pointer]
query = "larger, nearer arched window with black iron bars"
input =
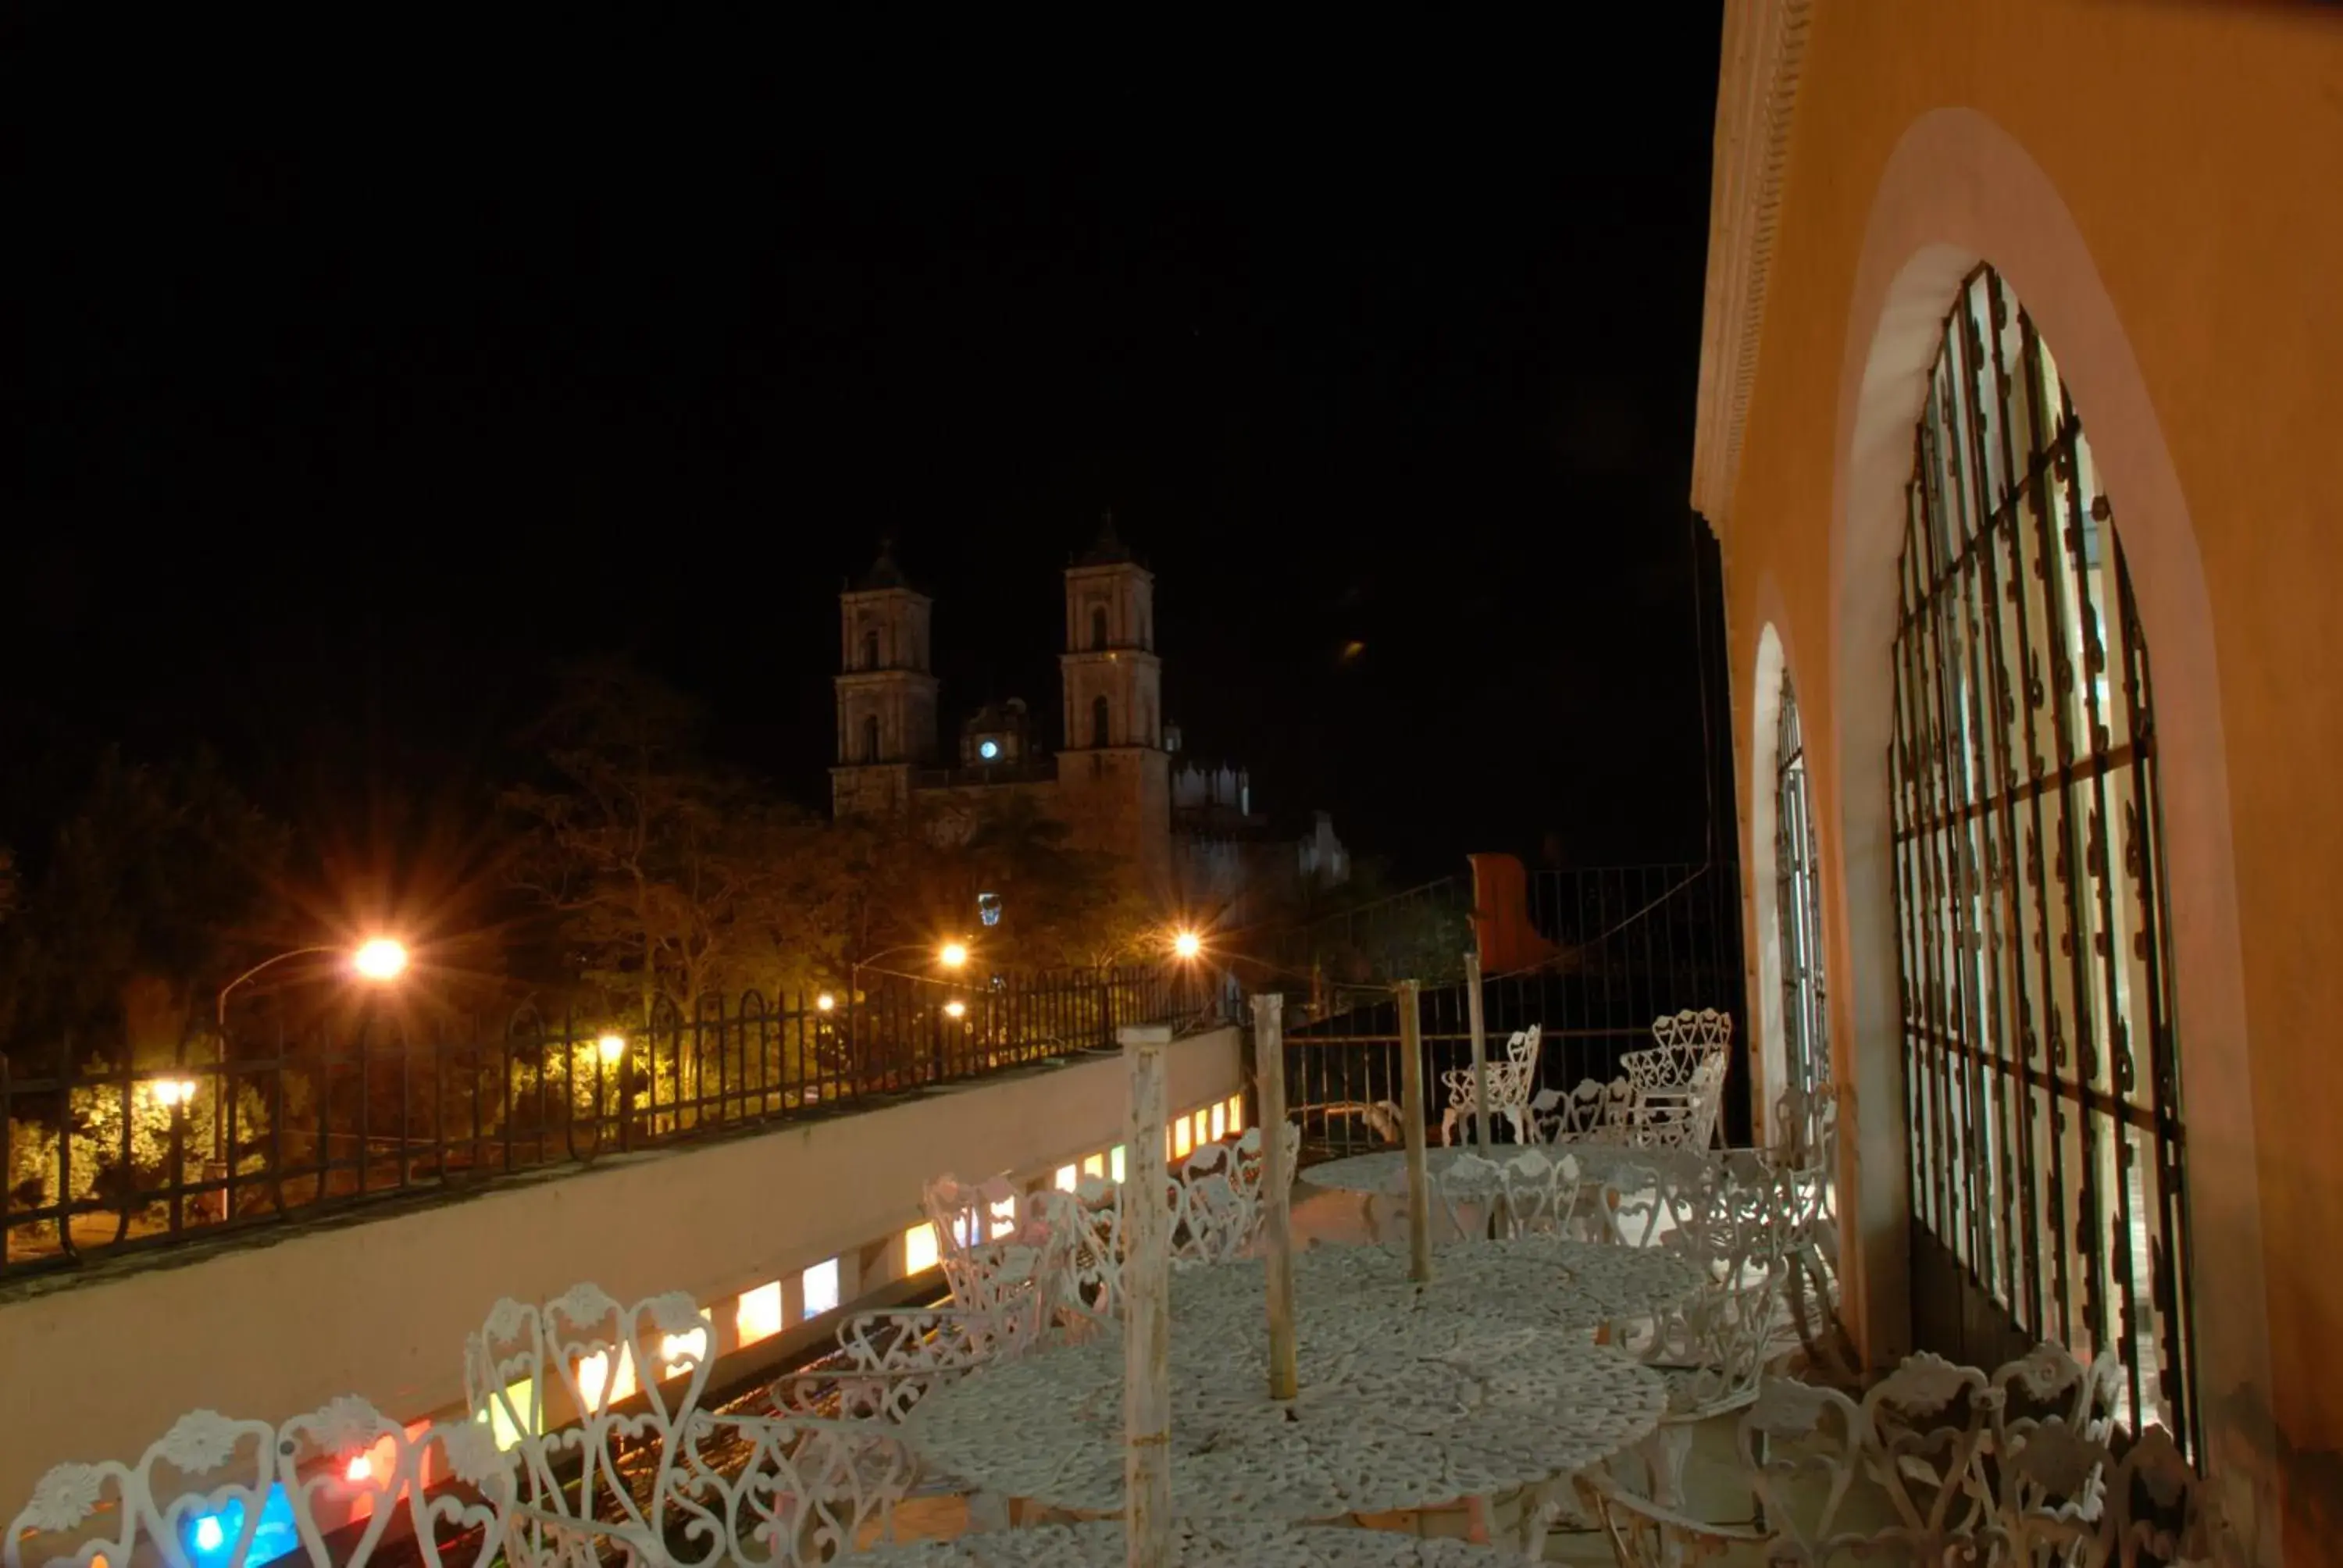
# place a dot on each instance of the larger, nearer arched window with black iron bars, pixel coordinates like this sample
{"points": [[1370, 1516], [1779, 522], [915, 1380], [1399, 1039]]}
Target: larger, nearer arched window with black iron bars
{"points": [[2030, 889]]}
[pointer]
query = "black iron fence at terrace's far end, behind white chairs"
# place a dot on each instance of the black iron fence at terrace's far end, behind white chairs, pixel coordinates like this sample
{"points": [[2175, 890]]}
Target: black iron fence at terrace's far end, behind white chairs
{"points": [[1632, 943]]}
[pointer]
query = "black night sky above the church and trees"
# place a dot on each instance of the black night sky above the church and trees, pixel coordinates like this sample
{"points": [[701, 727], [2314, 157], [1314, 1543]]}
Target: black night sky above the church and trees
{"points": [[336, 414]]}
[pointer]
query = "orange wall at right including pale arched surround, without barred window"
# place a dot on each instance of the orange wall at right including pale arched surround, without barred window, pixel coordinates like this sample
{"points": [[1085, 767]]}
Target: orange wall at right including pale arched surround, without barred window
{"points": [[2157, 184]]}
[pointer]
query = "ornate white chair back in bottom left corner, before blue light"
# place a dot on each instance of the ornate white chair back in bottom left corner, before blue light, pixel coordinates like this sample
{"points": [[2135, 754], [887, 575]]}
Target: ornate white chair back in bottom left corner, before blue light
{"points": [[334, 1487]]}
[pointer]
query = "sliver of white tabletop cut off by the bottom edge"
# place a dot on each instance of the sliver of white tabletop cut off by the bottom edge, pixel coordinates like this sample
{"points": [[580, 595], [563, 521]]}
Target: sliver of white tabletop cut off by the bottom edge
{"points": [[1194, 1546]]}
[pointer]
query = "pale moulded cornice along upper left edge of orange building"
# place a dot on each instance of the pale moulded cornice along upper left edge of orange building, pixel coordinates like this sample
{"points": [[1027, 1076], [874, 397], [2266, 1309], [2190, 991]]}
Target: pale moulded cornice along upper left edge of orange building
{"points": [[1765, 41]]}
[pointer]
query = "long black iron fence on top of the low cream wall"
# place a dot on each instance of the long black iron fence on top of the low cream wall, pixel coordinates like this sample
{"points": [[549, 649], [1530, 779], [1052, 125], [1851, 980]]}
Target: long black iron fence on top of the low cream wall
{"points": [[109, 1159]]}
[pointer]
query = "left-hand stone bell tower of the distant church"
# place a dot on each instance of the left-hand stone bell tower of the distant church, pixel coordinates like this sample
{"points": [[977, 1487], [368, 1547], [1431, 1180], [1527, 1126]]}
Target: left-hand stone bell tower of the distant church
{"points": [[887, 693]]}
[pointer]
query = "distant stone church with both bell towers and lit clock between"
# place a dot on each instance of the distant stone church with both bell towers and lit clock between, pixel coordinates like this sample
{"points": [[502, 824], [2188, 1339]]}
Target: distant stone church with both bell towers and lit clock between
{"points": [[1187, 831]]}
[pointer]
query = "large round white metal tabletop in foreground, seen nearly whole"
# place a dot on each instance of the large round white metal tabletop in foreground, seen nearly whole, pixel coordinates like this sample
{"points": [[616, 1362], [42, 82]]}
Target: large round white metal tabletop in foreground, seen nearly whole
{"points": [[1398, 1410]]}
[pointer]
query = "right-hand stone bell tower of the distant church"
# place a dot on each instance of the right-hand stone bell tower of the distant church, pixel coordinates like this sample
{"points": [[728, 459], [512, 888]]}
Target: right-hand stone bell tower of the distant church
{"points": [[1114, 777]]}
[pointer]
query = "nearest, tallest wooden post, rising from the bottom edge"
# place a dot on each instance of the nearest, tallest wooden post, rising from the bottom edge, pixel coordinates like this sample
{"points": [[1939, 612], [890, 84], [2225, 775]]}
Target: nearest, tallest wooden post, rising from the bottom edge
{"points": [[1147, 1304]]}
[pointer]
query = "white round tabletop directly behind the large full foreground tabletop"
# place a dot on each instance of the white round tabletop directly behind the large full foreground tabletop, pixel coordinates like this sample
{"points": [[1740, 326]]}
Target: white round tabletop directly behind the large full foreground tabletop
{"points": [[1533, 1281]]}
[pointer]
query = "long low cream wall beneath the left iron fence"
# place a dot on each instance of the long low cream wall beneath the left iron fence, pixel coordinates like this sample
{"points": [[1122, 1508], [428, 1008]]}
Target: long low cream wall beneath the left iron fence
{"points": [[381, 1304]]}
